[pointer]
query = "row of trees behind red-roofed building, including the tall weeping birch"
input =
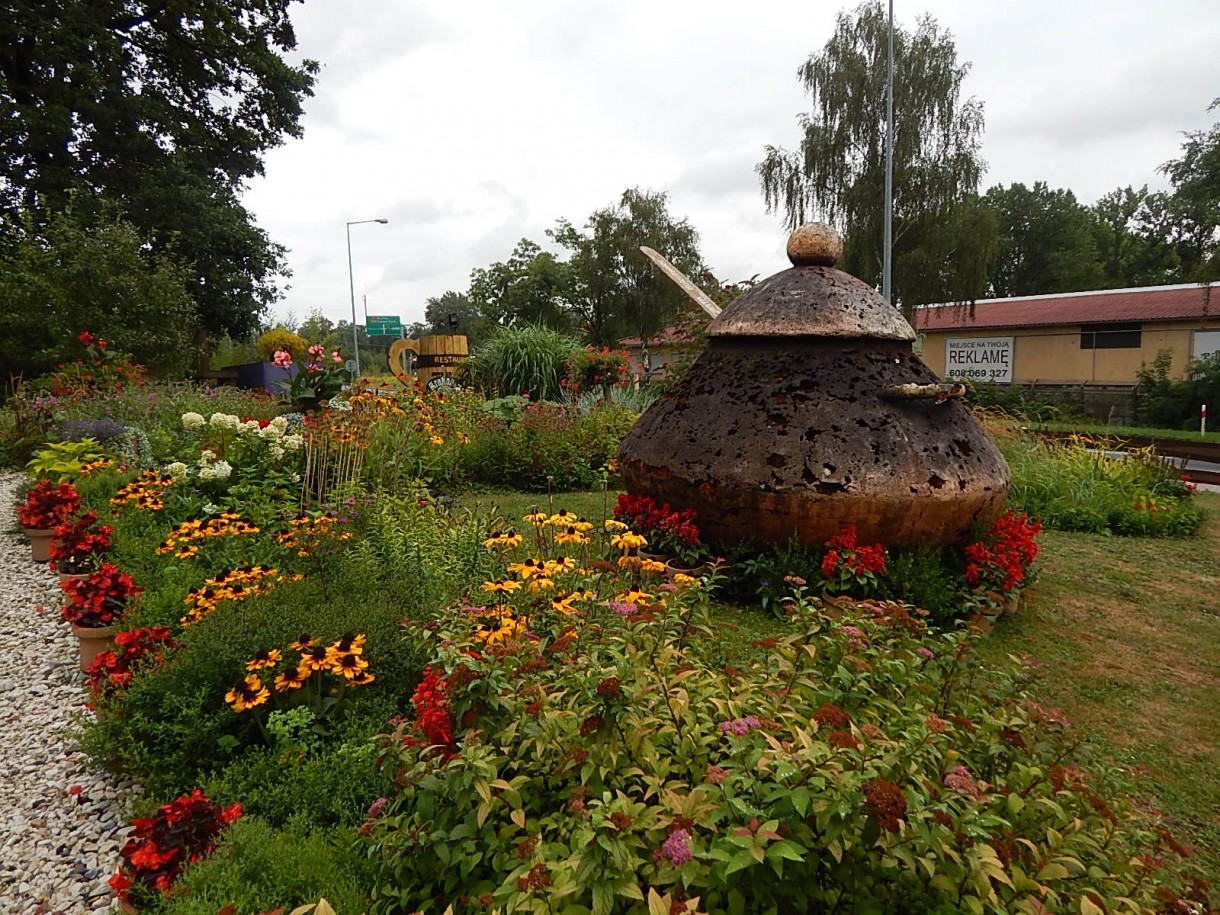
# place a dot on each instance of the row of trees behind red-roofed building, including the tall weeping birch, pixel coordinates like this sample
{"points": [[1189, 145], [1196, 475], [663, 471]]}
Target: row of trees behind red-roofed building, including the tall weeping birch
{"points": [[952, 243]]}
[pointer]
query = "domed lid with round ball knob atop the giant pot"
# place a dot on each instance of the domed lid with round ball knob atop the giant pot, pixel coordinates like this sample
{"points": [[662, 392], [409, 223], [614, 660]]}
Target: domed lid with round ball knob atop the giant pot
{"points": [[813, 298]]}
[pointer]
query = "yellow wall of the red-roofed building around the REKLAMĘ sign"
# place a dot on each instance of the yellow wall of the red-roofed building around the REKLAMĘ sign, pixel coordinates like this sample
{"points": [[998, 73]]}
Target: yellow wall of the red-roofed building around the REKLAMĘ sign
{"points": [[1055, 356]]}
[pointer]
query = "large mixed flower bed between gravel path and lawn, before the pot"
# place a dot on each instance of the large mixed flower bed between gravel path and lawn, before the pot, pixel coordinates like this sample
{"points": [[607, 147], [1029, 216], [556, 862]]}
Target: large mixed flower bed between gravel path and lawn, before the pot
{"points": [[563, 723]]}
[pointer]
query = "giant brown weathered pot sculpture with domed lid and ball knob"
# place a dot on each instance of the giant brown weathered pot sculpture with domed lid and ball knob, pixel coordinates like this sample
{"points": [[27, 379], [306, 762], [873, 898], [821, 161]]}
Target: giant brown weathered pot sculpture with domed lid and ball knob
{"points": [[811, 412]]}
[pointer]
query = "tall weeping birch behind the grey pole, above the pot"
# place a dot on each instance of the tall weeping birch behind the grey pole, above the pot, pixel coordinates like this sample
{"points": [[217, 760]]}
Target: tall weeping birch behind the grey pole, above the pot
{"points": [[942, 241]]}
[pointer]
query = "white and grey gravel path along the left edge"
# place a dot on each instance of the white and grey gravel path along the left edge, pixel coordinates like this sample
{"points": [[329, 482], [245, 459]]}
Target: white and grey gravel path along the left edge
{"points": [[58, 850]]}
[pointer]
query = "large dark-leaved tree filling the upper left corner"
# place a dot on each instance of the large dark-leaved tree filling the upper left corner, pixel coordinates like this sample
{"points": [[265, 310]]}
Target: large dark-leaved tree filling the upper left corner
{"points": [[165, 109]]}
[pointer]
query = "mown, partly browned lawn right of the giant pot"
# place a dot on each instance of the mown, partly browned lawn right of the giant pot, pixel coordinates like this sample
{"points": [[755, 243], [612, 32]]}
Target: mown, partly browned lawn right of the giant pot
{"points": [[1127, 637]]}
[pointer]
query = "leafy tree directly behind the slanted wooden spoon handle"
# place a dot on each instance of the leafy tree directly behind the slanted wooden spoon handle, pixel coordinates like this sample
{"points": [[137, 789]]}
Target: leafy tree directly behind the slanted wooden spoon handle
{"points": [[615, 290]]}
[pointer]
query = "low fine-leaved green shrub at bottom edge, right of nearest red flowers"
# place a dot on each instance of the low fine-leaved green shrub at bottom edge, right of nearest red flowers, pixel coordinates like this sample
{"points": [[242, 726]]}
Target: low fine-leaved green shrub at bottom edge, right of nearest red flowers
{"points": [[258, 869]]}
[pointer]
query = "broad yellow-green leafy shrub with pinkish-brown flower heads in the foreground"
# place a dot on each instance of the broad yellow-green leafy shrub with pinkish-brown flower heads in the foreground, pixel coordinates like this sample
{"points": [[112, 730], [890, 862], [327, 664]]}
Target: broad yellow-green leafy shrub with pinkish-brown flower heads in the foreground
{"points": [[601, 762]]}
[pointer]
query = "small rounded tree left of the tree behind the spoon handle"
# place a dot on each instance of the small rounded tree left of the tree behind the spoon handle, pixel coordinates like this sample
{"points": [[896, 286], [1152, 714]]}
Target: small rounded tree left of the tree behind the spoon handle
{"points": [[531, 287]]}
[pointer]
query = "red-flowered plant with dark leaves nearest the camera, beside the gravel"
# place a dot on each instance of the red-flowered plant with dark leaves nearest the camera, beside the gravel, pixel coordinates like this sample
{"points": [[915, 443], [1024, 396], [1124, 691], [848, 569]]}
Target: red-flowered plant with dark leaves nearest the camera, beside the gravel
{"points": [[159, 847]]}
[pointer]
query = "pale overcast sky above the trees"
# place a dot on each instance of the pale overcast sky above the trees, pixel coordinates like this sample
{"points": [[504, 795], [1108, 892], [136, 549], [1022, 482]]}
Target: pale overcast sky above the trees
{"points": [[470, 126]]}
